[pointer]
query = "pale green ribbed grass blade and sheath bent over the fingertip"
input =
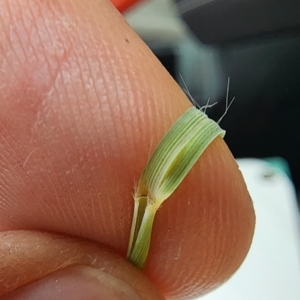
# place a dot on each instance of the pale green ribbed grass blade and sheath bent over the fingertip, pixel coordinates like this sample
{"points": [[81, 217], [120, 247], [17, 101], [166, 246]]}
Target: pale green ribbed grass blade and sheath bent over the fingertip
{"points": [[171, 161]]}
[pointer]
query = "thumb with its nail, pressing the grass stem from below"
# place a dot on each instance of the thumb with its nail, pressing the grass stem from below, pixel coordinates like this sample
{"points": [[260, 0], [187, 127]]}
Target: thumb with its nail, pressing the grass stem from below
{"points": [[84, 270]]}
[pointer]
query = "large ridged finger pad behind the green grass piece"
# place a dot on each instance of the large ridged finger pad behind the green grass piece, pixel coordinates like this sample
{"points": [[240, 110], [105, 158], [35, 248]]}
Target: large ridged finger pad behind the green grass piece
{"points": [[83, 103]]}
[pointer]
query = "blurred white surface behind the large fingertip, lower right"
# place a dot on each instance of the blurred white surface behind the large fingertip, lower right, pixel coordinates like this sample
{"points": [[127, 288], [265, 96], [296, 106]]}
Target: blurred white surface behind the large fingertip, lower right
{"points": [[271, 270]]}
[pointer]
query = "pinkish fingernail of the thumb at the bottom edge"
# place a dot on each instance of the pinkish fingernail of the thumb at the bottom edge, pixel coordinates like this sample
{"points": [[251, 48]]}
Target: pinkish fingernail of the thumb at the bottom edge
{"points": [[77, 283]]}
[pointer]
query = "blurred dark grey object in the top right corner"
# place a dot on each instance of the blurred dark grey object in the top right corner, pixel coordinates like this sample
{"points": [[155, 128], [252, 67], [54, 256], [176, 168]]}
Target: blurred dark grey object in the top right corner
{"points": [[219, 21]]}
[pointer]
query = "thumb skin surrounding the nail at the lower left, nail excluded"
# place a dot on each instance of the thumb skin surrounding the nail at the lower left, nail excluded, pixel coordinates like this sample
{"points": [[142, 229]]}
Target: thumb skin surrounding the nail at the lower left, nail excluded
{"points": [[34, 255]]}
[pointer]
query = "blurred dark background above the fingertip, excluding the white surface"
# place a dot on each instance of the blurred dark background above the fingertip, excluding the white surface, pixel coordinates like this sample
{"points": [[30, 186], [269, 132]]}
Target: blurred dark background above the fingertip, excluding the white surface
{"points": [[254, 42]]}
